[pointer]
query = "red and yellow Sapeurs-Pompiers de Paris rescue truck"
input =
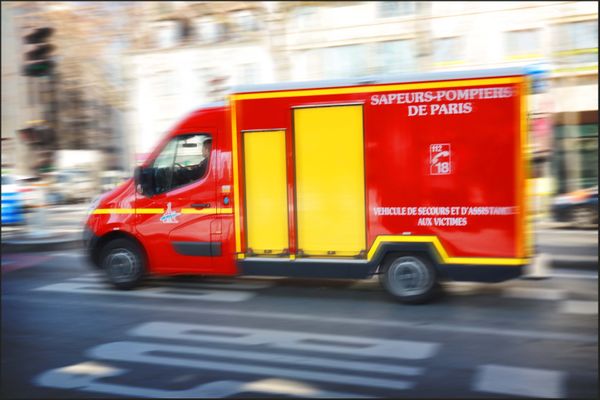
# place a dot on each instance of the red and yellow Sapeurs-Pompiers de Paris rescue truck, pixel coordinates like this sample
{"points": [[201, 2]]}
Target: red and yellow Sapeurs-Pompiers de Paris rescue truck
{"points": [[418, 180]]}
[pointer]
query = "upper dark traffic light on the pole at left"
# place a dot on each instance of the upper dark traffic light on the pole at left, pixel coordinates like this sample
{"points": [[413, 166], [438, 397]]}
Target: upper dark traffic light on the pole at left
{"points": [[38, 60]]}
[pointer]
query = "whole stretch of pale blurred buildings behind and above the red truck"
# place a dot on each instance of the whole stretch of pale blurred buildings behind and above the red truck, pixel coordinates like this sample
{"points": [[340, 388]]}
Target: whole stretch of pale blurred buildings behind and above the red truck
{"points": [[190, 53]]}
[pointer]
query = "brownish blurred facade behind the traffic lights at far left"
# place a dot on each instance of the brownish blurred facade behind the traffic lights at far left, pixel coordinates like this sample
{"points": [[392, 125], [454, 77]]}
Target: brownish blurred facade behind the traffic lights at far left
{"points": [[82, 100]]}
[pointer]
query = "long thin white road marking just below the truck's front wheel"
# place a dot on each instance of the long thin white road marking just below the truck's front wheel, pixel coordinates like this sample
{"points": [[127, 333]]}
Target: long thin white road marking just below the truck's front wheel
{"points": [[156, 292]]}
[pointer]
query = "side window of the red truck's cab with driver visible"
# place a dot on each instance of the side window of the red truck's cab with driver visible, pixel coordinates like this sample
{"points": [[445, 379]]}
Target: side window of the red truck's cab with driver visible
{"points": [[184, 160]]}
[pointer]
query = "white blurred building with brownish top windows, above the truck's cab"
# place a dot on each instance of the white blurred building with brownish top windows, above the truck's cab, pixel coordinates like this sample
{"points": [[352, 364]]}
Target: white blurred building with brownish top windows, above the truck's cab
{"points": [[189, 54]]}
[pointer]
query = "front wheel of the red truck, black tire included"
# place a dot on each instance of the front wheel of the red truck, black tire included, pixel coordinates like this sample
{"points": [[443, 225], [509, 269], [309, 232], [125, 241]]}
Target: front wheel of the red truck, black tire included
{"points": [[124, 263]]}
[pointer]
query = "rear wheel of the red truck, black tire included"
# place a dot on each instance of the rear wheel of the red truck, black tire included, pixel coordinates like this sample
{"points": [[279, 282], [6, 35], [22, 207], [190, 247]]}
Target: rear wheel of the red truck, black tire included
{"points": [[409, 278]]}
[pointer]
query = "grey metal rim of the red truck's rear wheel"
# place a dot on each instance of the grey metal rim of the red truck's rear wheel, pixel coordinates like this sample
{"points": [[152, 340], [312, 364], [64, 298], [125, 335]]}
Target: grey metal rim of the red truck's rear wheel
{"points": [[409, 276]]}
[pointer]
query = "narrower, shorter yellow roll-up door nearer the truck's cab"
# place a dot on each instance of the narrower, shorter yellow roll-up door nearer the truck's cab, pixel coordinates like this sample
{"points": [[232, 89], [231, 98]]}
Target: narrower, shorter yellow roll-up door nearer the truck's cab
{"points": [[266, 192]]}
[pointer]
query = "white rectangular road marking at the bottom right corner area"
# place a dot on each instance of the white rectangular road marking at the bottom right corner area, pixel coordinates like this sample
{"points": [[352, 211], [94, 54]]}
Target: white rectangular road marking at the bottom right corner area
{"points": [[525, 382]]}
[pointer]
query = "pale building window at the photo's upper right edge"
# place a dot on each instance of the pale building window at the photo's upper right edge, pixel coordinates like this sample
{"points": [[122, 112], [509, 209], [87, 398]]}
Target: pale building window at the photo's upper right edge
{"points": [[577, 42]]}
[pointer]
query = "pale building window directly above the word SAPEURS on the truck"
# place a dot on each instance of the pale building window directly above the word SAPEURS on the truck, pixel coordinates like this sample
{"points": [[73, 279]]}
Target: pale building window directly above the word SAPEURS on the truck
{"points": [[396, 56]]}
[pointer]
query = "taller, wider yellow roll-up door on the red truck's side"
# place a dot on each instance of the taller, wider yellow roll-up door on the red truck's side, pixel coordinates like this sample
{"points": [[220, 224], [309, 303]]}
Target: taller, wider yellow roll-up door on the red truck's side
{"points": [[330, 180]]}
